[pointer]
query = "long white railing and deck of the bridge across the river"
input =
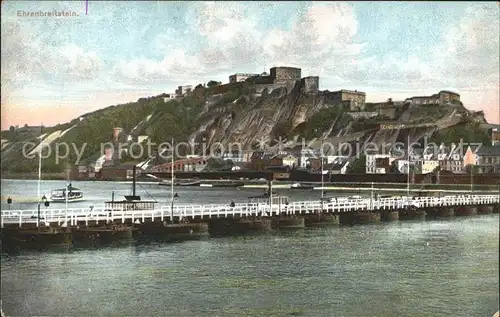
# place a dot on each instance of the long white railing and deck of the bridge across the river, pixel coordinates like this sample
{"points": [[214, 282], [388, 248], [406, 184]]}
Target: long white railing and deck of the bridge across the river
{"points": [[341, 205]]}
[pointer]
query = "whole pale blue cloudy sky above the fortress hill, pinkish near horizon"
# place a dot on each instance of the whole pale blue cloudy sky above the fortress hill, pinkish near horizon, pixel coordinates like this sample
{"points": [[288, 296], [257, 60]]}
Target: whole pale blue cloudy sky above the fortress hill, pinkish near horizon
{"points": [[54, 69]]}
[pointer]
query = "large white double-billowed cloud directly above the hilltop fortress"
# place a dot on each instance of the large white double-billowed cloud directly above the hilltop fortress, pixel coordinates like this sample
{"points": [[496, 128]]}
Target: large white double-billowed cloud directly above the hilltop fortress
{"points": [[233, 41]]}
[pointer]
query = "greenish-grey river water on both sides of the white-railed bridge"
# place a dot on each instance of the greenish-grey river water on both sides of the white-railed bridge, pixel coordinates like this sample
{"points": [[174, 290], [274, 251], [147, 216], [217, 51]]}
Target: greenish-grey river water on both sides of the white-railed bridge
{"points": [[422, 268]]}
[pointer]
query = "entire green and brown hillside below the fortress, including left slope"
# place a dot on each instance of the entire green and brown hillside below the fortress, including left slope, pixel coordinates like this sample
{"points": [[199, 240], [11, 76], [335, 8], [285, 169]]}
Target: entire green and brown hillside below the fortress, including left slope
{"points": [[245, 115]]}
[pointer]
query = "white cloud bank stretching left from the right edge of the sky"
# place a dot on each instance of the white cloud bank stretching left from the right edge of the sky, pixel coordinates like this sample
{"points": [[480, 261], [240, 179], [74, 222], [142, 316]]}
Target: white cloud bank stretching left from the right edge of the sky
{"points": [[465, 59]]}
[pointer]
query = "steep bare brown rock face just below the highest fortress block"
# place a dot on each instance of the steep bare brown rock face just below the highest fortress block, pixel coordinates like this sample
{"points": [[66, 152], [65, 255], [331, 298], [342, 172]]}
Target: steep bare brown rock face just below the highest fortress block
{"points": [[251, 118]]}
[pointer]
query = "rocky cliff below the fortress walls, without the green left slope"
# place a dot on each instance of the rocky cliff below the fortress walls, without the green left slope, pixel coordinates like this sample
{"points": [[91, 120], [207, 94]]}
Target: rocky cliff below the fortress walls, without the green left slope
{"points": [[294, 114]]}
